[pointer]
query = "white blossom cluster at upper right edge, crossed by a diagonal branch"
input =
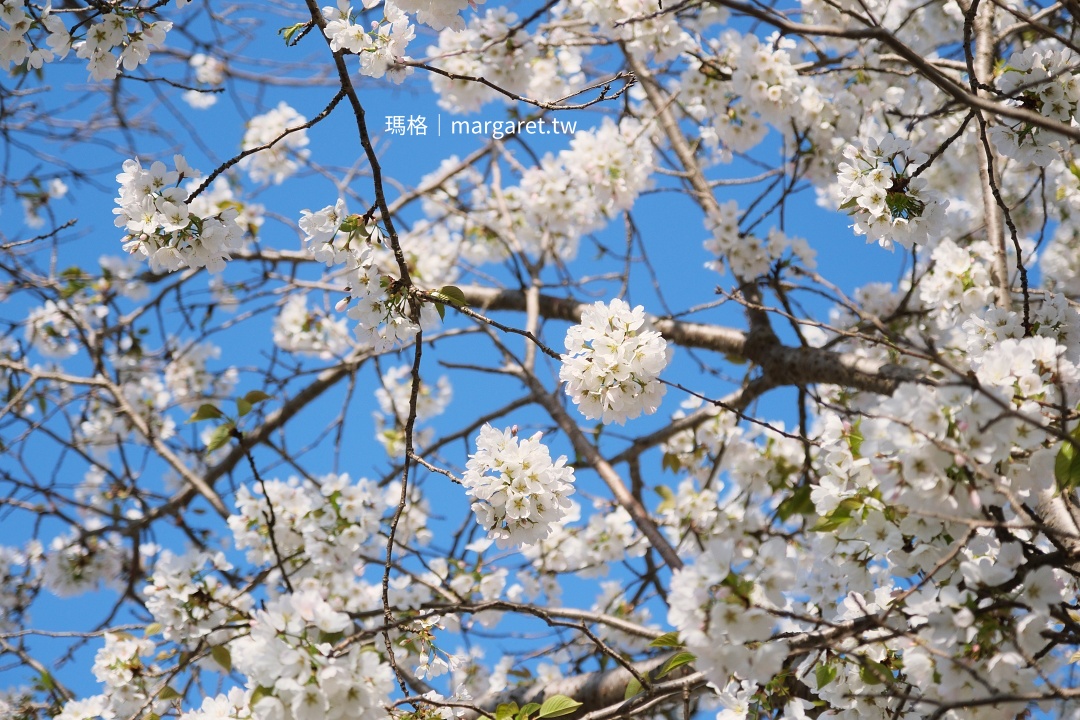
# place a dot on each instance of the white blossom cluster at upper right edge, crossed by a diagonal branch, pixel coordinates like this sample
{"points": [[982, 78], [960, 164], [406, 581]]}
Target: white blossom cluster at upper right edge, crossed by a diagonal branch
{"points": [[1041, 80]]}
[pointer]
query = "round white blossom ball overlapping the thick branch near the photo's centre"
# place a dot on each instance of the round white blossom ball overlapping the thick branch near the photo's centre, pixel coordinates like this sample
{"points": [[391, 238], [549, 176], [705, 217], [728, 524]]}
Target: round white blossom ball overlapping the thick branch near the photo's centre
{"points": [[613, 363]]}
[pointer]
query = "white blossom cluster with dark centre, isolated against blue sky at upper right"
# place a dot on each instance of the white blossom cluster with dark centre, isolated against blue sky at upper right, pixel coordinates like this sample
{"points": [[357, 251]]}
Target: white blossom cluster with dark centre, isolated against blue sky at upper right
{"points": [[881, 193]]}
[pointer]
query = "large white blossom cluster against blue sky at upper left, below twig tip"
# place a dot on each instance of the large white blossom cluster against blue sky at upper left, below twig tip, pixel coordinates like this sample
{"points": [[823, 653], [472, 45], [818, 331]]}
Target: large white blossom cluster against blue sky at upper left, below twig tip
{"points": [[164, 227]]}
